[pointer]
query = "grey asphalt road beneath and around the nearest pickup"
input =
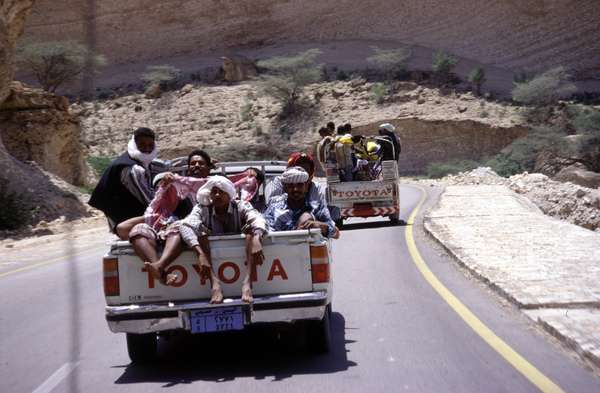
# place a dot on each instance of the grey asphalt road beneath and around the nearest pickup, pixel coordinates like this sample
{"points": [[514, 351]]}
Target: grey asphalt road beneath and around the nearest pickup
{"points": [[392, 332]]}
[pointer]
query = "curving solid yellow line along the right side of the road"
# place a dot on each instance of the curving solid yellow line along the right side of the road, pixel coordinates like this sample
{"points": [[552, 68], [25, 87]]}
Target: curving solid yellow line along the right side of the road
{"points": [[510, 355]]}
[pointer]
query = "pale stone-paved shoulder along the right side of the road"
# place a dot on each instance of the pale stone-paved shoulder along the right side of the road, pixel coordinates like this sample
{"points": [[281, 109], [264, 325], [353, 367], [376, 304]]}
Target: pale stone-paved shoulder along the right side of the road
{"points": [[547, 267]]}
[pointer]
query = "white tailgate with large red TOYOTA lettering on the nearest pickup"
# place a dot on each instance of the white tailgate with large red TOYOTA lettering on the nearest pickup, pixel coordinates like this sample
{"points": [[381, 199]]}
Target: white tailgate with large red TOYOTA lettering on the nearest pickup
{"points": [[286, 269]]}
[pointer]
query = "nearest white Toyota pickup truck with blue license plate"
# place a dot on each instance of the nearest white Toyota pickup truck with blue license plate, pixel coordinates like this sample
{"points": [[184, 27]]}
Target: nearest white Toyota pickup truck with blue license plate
{"points": [[293, 285]]}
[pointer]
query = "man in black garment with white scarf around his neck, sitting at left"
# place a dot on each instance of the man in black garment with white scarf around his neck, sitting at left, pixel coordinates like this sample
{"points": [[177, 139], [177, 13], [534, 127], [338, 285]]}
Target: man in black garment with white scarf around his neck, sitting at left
{"points": [[125, 188]]}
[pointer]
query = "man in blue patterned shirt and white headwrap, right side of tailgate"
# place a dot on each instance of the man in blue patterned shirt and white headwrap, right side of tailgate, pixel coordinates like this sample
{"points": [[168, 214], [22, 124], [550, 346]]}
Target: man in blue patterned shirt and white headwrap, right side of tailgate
{"points": [[295, 209]]}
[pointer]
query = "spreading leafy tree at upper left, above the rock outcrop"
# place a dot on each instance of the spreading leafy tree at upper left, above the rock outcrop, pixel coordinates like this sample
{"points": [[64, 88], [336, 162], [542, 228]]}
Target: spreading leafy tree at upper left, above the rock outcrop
{"points": [[57, 63]]}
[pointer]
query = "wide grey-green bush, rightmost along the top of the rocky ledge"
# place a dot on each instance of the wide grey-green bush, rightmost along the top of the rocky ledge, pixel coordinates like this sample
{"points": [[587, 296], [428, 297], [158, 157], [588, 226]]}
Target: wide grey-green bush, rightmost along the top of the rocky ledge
{"points": [[544, 89]]}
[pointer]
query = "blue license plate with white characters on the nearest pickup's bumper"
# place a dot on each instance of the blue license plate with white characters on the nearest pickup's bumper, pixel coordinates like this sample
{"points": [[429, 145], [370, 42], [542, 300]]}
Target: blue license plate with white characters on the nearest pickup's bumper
{"points": [[220, 319]]}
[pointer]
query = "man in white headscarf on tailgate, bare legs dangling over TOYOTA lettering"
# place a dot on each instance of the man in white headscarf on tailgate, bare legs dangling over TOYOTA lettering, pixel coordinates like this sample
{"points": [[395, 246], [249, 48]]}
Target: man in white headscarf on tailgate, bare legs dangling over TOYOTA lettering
{"points": [[217, 213]]}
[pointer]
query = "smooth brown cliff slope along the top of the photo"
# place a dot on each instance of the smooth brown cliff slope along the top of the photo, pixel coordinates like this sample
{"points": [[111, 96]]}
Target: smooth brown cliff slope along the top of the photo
{"points": [[524, 34]]}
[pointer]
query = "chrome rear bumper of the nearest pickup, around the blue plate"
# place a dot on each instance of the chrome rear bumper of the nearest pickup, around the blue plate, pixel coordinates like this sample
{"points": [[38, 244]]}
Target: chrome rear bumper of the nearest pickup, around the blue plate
{"points": [[147, 318]]}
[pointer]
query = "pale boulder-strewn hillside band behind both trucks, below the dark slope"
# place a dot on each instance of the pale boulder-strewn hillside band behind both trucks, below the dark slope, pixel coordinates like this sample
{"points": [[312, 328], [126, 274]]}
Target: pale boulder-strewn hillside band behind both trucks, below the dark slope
{"points": [[234, 123]]}
